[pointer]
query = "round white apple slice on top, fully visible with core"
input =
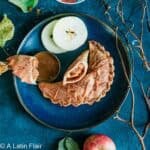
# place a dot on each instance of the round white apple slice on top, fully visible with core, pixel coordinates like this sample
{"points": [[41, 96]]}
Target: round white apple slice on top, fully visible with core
{"points": [[70, 33]]}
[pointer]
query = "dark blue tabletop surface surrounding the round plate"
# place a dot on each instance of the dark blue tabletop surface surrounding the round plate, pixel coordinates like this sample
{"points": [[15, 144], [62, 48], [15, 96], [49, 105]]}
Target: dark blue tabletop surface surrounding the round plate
{"points": [[17, 127]]}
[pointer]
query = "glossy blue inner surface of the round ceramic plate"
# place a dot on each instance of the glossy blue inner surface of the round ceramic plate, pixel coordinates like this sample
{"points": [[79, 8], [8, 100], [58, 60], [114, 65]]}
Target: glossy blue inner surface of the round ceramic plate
{"points": [[85, 116]]}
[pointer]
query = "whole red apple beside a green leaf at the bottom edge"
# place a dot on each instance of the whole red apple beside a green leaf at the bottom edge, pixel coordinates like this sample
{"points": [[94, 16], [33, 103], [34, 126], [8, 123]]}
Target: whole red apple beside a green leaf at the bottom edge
{"points": [[99, 142]]}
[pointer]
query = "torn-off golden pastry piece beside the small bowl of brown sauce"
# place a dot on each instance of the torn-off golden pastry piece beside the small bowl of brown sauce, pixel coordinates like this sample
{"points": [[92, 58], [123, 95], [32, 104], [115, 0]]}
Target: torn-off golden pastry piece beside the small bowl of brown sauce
{"points": [[25, 67]]}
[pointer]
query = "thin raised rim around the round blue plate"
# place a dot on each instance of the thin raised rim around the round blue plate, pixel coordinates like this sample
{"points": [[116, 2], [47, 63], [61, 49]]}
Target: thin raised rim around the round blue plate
{"points": [[98, 122]]}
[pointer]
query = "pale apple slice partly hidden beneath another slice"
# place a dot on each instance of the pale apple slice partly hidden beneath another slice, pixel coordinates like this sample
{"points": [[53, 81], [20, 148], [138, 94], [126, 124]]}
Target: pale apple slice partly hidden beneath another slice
{"points": [[47, 39]]}
